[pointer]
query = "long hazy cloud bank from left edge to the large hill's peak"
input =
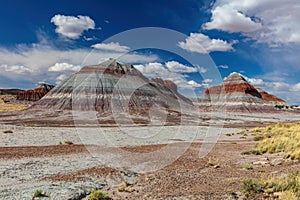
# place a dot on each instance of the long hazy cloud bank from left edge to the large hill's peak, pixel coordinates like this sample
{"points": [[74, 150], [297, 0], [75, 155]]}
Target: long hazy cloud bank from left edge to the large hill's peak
{"points": [[47, 63]]}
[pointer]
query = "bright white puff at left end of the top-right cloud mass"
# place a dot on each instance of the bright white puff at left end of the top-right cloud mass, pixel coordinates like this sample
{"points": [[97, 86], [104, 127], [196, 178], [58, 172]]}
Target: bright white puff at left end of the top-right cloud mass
{"points": [[226, 18]]}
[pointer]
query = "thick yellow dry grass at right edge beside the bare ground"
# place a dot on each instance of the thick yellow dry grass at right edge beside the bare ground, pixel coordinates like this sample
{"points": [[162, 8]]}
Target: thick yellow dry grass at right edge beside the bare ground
{"points": [[279, 138]]}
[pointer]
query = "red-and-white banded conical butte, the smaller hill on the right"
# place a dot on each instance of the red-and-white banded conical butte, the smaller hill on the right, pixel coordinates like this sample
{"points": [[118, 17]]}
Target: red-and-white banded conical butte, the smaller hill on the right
{"points": [[237, 95]]}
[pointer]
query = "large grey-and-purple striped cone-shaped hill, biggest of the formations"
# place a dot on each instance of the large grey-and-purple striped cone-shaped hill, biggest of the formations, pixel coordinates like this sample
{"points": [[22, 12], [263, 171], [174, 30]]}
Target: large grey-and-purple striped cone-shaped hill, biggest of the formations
{"points": [[111, 86]]}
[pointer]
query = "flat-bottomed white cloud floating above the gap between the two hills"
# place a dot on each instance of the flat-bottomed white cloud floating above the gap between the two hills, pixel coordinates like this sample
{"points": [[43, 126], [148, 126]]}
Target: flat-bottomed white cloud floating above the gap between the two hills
{"points": [[200, 43]]}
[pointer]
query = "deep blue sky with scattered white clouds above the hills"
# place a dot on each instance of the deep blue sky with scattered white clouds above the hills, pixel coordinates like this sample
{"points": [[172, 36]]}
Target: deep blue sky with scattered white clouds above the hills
{"points": [[195, 43]]}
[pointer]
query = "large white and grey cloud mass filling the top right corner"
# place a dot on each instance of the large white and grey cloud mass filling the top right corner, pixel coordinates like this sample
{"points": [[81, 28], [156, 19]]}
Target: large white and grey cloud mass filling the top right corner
{"points": [[269, 21]]}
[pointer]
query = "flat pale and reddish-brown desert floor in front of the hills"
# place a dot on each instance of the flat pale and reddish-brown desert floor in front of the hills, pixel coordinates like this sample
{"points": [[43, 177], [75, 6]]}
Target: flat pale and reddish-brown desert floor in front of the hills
{"points": [[67, 164]]}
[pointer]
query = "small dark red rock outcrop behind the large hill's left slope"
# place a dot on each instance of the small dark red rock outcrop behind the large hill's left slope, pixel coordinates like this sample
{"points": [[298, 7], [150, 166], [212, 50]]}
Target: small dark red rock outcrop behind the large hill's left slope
{"points": [[36, 94]]}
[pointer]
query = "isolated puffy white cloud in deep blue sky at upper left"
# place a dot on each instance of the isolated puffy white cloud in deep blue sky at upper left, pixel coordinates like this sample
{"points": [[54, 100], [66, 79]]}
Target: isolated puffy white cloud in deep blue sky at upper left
{"points": [[71, 26]]}
